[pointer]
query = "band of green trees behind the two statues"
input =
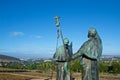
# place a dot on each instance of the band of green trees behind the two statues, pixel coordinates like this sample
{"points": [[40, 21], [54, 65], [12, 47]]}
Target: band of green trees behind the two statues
{"points": [[41, 66]]}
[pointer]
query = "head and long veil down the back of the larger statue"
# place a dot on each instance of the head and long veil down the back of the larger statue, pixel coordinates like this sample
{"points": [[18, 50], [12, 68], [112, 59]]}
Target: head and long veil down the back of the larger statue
{"points": [[95, 42]]}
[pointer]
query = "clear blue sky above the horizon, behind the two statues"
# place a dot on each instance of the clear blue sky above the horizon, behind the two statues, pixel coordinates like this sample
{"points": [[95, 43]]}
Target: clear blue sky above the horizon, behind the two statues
{"points": [[28, 26]]}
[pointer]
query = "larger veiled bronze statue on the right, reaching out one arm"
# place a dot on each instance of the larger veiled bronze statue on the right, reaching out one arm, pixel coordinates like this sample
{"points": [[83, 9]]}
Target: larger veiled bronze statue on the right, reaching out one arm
{"points": [[89, 53]]}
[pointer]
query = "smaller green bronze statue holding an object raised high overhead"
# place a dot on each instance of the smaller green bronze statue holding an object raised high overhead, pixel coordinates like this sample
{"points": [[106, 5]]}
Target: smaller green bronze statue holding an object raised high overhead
{"points": [[61, 55]]}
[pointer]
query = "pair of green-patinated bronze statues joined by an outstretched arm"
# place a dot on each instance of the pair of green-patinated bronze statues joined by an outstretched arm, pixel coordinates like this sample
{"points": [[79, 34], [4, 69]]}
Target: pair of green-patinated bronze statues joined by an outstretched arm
{"points": [[89, 54]]}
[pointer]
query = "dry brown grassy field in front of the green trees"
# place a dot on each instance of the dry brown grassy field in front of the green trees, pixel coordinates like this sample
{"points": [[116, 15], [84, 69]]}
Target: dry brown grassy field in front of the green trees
{"points": [[36, 75]]}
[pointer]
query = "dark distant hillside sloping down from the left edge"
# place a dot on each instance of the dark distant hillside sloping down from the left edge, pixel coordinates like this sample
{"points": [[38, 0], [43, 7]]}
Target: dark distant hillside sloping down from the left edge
{"points": [[4, 58]]}
